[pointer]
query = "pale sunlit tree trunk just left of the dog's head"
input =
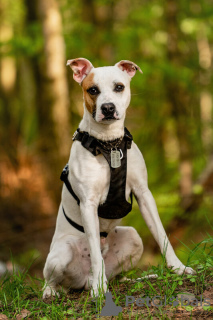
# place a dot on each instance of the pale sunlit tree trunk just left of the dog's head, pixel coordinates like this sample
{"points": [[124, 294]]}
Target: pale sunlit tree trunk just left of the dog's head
{"points": [[53, 111]]}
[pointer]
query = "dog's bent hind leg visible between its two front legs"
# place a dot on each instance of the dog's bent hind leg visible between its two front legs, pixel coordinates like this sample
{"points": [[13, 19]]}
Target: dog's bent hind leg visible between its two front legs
{"points": [[125, 250]]}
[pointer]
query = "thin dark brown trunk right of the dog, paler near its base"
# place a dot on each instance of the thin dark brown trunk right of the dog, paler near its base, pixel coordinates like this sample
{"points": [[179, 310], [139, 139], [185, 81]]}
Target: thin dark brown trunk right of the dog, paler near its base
{"points": [[179, 100]]}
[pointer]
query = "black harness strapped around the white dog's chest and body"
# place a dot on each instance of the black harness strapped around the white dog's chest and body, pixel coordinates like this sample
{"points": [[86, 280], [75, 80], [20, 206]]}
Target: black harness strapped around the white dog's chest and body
{"points": [[115, 206]]}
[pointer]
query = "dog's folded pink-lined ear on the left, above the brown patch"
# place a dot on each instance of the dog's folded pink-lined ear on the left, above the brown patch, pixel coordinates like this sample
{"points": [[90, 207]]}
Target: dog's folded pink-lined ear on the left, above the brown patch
{"points": [[81, 68]]}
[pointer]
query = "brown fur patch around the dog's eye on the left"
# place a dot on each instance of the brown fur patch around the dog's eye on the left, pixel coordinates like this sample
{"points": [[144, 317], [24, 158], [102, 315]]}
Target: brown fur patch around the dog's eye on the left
{"points": [[90, 97]]}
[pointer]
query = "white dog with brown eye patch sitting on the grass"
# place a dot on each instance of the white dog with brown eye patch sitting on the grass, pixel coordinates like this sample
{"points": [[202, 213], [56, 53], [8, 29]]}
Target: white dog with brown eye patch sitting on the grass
{"points": [[105, 167]]}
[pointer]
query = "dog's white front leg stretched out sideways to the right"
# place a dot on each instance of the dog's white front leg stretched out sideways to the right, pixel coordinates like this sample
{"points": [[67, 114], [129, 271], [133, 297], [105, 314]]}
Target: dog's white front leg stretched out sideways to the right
{"points": [[150, 214]]}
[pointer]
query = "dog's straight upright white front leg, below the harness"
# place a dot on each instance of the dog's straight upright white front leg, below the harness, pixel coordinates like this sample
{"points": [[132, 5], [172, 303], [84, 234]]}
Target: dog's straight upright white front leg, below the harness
{"points": [[91, 226]]}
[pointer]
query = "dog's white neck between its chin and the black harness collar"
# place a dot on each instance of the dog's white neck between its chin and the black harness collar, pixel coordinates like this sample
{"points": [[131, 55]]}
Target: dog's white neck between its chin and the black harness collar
{"points": [[104, 132]]}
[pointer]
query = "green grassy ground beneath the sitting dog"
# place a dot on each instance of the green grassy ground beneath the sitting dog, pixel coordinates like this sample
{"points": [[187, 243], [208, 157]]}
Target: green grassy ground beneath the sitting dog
{"points": [[21, 295]]}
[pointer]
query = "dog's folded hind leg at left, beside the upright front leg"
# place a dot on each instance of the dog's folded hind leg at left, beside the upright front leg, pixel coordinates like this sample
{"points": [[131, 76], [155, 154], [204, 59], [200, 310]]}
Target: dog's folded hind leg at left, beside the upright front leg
{"points": [[66, 266]]}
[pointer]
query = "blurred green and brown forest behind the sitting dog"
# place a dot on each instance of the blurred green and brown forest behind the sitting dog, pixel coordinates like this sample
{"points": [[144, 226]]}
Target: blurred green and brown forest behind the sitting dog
{"points": [[170, 115]]}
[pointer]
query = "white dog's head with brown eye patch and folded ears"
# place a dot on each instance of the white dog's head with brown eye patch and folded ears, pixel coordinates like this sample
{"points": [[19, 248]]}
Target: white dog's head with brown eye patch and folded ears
{"points": [[106, 90]]}
